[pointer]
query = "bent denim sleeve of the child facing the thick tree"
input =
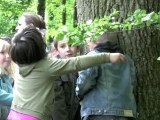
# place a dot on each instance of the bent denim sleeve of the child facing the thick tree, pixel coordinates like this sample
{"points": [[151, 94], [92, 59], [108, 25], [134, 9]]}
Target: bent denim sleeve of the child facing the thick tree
{"points": [[86, 81]]}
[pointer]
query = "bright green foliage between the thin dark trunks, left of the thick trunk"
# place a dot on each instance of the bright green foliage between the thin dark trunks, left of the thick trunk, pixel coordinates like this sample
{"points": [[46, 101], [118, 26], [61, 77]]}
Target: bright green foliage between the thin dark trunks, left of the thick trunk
{"points": [[53, 17]]}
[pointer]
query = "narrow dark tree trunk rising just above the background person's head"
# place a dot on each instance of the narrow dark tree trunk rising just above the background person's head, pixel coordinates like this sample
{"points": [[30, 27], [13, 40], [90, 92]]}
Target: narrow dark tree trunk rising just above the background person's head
{"points": [[41, 7]]}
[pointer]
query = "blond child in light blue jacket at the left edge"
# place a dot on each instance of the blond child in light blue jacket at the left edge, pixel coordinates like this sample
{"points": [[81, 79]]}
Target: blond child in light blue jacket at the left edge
{"points": [[6, 73]]}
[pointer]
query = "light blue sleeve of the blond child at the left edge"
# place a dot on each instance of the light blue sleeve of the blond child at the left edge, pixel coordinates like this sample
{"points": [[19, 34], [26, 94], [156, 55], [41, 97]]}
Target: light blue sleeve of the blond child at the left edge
{"points": [[5, 98]]}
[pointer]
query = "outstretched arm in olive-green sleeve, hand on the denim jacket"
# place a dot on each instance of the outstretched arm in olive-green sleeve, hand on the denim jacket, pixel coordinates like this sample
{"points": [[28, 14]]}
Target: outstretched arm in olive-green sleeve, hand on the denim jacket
{"points": [[64, 66]]}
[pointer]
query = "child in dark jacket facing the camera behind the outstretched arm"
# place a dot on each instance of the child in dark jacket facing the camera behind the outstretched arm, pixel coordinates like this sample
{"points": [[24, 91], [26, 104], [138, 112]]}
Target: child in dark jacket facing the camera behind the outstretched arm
{"points": [[66, 105]]}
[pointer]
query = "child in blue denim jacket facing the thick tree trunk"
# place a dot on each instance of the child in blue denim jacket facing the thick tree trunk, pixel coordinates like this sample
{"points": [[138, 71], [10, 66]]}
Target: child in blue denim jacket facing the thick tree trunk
{"points": [[106, 90]]}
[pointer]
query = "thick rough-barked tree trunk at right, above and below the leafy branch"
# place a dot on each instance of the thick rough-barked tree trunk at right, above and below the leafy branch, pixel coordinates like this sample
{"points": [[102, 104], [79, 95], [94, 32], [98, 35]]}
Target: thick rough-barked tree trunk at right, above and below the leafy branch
{"points": [[143, 45]]}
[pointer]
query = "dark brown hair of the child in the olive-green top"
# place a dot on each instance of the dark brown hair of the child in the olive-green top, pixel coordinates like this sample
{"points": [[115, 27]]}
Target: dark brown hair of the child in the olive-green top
{"points": [[28, 46]]}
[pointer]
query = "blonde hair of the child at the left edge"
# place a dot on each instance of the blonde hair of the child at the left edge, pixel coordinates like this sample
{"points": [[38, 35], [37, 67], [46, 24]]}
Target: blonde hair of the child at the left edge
{"points": [[5, 47]]}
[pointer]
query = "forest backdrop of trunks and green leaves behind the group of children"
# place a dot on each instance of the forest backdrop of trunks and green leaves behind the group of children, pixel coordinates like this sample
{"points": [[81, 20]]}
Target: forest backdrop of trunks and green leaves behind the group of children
{"points": [[139, 36]]}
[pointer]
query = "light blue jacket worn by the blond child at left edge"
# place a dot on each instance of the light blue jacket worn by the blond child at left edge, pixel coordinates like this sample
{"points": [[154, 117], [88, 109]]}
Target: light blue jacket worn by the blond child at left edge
{"points": [[6, 96]]}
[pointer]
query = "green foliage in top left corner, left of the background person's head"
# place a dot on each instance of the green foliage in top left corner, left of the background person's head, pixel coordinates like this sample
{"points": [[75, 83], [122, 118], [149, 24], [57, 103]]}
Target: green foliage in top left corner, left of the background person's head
{"points": [[10, 10]]}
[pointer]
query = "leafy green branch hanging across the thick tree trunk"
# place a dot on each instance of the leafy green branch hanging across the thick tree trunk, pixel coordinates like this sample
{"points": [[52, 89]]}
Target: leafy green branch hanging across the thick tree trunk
{"points": [[91, 30]]}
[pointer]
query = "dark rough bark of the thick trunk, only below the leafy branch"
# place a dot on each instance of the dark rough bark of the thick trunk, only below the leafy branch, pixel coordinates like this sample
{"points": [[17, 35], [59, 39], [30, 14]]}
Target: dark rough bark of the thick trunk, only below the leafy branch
{"points": [[143, 45]]}
